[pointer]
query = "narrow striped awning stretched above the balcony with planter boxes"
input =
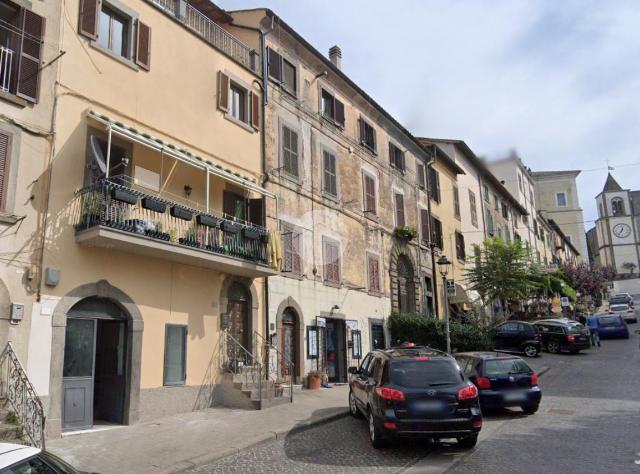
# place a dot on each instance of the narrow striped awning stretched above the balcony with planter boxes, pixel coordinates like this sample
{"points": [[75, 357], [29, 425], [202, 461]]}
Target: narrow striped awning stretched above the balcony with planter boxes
{"points": [[178, 153]]}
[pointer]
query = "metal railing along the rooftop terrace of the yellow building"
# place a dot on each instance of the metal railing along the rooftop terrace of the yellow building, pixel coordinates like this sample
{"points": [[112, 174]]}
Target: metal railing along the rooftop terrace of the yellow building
{"points": [[211, 32]]}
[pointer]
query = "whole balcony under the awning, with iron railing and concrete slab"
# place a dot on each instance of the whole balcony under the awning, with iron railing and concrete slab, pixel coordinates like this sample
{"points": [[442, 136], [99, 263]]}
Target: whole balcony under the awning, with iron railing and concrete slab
{"points": [[112, 213]]}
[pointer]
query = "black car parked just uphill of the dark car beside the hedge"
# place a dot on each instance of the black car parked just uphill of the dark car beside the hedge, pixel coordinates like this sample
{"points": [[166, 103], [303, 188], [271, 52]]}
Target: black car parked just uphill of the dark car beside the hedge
{"points": [[563, 335]]}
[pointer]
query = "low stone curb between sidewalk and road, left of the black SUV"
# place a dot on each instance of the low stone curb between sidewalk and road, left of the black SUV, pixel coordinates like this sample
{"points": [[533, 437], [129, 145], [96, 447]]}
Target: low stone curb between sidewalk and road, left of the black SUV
{"points": [[184, 466]]}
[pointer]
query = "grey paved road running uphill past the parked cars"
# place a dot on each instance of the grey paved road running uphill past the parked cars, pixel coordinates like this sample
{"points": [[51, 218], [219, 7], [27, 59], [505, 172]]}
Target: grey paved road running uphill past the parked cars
{"points": [[589, 422]]}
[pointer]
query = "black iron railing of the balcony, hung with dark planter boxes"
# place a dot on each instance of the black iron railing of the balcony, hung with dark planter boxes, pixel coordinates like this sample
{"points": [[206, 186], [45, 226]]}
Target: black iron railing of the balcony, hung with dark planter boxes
{"points": [[110, 204]]}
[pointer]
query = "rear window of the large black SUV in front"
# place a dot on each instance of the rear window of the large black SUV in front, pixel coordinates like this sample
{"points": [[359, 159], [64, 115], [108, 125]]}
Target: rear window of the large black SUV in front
{"points": [[424, 373]]}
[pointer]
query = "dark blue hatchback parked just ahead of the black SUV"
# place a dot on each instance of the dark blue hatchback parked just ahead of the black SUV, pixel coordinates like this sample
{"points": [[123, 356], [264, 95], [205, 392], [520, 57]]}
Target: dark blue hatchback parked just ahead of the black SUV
{"points": [[502, 381]]}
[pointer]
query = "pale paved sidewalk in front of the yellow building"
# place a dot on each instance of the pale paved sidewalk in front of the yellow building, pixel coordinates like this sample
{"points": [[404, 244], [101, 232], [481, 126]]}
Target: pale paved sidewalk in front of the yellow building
{"points": [[178, 442]]}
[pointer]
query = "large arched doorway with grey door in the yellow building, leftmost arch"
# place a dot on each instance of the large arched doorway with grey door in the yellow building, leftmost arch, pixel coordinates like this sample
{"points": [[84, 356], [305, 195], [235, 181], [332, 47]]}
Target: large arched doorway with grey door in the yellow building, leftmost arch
{"points": [[96, 364]]}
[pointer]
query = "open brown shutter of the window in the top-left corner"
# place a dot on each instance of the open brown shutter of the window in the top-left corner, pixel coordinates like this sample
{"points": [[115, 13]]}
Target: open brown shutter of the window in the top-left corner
{"points": [[30, 55]]}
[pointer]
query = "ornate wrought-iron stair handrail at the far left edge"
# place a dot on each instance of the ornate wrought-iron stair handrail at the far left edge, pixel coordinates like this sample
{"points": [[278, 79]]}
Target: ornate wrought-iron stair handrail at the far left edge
{"points": [[20, 392]]}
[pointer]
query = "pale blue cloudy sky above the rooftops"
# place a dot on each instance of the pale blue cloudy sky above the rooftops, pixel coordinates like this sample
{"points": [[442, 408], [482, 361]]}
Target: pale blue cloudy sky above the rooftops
{"points": [[559, 81]]}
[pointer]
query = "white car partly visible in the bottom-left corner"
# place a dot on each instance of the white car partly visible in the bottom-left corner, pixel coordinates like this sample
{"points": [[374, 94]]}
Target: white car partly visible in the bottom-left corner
{"points": [[18, 459]]}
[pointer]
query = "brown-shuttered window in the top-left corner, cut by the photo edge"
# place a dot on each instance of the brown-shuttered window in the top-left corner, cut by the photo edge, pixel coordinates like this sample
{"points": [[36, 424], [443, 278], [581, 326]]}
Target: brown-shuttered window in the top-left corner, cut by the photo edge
{"points": [[21, 37]]}
